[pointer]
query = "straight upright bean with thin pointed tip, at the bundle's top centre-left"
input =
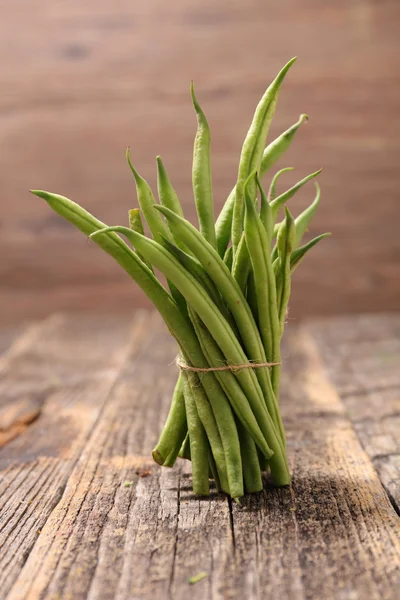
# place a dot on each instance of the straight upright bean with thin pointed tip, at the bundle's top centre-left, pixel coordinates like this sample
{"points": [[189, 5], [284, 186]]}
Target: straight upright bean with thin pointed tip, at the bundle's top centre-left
{"points": [[201, 175]]}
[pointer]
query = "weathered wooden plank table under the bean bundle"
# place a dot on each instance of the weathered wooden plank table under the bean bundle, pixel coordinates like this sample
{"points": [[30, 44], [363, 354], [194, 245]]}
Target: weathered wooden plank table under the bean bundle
{"points": [[87, 514]]}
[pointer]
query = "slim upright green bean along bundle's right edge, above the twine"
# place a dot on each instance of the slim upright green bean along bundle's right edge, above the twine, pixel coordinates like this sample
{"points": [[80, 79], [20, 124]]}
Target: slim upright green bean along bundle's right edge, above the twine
{"points": [[285, 242]]}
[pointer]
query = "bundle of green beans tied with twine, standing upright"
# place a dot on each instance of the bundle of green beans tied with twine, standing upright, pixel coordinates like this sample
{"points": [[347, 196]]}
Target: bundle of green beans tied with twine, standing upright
{"points": [[229, 287]]}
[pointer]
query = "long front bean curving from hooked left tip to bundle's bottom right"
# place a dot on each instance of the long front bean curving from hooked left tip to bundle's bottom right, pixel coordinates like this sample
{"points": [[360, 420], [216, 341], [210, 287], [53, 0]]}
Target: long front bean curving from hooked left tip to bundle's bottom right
{"points": [[224, 336]]}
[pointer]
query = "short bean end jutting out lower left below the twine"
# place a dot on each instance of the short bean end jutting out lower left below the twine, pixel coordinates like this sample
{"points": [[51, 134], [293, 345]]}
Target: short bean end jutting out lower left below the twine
{"points": [[174, 430]]}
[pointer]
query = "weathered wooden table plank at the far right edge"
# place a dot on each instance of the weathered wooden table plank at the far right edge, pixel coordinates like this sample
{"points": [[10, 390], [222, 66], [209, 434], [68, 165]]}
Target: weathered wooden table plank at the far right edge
{"points": [[362, 356]]}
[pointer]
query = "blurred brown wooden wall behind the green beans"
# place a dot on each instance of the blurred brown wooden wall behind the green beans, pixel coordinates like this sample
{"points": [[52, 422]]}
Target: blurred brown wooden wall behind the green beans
{"points": [[82, 80]]}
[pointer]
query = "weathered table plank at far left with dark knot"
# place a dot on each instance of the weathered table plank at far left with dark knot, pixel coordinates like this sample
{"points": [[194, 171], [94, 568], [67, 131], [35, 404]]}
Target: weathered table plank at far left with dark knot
{"points": [[85, 359]]}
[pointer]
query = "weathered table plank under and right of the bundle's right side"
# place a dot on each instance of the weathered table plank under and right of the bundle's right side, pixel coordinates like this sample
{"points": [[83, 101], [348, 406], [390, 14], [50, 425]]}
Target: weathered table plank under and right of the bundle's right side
{"points": [[322, 538]]}
